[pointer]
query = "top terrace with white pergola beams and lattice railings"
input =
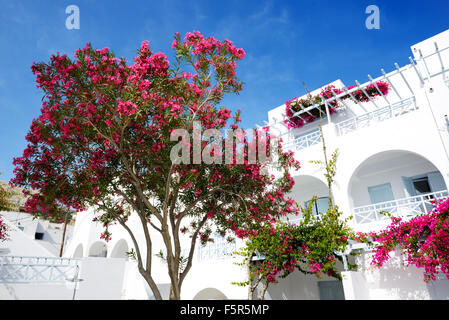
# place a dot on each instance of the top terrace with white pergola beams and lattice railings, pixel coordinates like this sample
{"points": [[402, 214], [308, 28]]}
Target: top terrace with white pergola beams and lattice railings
{"points": [[353, 115]]}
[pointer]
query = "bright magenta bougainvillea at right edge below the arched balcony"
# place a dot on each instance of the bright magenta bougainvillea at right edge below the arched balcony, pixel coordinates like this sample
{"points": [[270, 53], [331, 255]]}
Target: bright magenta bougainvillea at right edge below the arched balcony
{"points": [[423, 240]]}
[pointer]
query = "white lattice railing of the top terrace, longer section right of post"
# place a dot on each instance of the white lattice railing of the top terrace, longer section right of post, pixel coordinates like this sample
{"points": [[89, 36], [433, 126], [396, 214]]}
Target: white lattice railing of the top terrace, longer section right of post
{"points": [[379, 115]]}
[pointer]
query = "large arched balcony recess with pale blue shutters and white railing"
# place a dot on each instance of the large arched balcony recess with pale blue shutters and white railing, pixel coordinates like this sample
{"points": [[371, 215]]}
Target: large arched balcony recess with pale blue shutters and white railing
{"points": [[399, 182]]}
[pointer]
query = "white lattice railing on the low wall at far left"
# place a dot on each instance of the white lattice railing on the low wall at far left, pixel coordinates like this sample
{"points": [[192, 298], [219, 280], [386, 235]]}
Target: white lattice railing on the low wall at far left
{"points": [[21, 269]]}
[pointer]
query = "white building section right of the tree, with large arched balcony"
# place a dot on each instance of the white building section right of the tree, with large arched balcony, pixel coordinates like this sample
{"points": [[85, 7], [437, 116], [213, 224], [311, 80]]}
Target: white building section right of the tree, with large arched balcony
{"points": [[393, 156]]}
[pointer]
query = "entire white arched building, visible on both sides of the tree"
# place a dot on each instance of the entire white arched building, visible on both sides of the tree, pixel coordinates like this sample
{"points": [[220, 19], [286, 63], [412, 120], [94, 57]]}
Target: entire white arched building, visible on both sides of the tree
{"points": [[393, 156]]}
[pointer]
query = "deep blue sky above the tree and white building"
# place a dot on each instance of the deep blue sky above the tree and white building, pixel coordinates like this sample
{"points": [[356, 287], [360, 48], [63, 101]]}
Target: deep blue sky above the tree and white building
{"points": [[286, 42]]}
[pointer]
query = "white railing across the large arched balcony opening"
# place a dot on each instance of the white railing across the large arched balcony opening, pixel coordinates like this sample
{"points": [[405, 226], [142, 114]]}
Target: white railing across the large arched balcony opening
{"points": [[406, 207]]}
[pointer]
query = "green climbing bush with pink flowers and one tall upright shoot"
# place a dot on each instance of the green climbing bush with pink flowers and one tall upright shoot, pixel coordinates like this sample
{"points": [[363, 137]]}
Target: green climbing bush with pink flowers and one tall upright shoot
{"points": [[312, 246]]}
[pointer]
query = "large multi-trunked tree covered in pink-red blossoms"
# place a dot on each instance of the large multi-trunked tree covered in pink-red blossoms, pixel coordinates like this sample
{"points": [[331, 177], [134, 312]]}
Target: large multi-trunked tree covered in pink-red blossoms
{"points": [[105, 139]]}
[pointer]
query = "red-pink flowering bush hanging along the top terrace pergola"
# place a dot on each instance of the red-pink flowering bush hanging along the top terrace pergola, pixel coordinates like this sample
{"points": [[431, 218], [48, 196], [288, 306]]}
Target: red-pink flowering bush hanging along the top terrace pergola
{"points": [[295, 105]]}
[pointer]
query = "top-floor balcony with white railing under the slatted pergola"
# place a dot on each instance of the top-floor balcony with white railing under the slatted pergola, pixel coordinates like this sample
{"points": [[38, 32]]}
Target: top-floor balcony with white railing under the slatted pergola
{"points": [[404, 82]]}
